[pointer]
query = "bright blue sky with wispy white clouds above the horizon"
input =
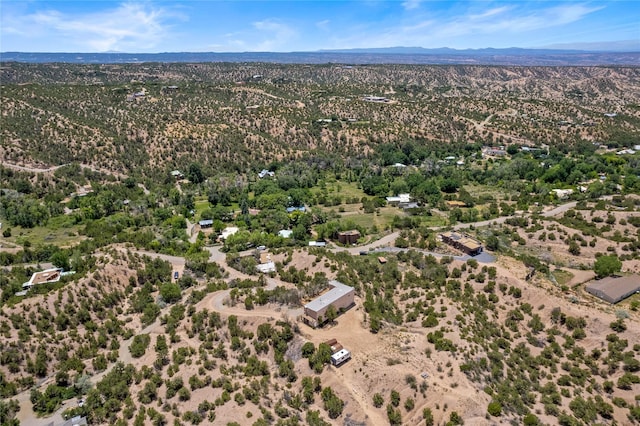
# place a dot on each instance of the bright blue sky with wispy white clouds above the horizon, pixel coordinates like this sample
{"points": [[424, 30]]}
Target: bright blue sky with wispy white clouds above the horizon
{"points": [[303, 25]]}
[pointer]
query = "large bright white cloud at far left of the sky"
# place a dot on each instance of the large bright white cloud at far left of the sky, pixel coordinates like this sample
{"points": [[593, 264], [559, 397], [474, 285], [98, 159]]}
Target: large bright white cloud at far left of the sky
{"points": [[127, 27]]}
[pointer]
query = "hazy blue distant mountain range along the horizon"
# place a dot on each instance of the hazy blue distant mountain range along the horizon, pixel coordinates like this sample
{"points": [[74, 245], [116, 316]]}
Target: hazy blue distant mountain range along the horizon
{"points": [[390, 55]]}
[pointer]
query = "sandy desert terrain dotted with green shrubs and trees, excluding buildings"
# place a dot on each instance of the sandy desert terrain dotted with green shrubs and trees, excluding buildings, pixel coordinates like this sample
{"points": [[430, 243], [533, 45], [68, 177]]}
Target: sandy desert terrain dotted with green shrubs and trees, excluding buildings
{"points": [[171, 315]]}
